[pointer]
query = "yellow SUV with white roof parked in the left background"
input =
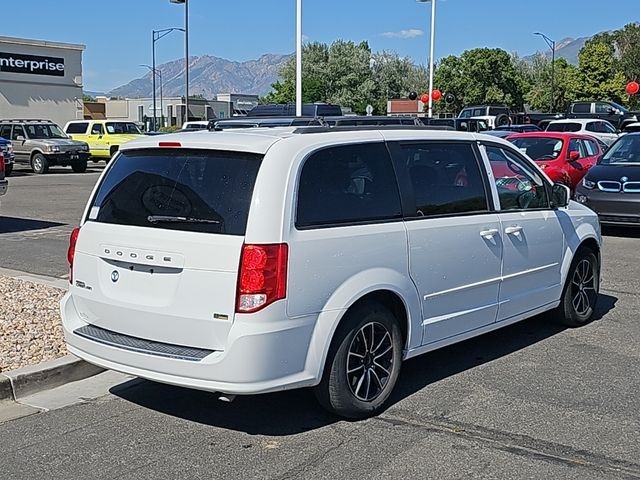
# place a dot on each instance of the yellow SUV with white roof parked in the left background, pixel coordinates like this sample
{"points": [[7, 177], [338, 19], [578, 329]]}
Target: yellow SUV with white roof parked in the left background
{"points": [[103, 136]]}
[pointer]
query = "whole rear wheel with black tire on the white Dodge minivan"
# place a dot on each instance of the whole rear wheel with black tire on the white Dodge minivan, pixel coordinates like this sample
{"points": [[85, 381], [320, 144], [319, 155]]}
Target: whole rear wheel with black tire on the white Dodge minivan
{"points": [[363, 363]]}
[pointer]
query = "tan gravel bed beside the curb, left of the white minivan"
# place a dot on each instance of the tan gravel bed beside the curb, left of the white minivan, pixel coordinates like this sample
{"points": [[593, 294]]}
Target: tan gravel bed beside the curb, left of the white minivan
{"points": [[30, 328]]}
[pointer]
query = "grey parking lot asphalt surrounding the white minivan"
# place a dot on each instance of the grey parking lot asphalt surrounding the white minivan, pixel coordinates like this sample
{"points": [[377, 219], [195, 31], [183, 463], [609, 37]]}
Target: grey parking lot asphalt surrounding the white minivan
{"points": [[533, 400]]}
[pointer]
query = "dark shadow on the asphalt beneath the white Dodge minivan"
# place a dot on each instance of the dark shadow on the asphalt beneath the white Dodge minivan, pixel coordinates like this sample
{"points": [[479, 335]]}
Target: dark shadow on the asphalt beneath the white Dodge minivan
{"points": [[296, 411]]}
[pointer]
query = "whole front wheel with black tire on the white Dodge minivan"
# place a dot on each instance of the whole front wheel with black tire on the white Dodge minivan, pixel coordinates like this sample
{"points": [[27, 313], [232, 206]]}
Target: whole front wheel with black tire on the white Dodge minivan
{"points": [[581, 289]]}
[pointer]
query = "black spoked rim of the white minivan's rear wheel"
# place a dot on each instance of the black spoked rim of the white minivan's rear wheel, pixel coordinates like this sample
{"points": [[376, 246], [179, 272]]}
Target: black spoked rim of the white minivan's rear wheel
{"points": [[370, 361]]}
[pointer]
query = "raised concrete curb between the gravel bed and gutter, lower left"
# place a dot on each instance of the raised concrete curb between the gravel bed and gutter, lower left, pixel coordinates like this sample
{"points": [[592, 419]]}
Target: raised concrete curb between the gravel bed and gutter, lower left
{"points": [[25, 381]]}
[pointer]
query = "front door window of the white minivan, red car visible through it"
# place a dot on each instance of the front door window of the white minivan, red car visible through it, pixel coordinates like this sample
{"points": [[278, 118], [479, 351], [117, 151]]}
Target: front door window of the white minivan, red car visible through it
{"points": [[520, 186]]}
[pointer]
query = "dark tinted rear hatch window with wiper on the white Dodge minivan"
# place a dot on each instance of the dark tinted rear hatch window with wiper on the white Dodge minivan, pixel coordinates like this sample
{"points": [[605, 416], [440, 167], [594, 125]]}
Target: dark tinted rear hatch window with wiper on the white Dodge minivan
{"points": [[193, 190]]}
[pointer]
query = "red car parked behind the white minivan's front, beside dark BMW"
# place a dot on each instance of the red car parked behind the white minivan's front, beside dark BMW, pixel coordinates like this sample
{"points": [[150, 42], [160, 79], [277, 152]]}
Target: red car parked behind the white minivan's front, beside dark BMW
{"points": [[565, 157]]}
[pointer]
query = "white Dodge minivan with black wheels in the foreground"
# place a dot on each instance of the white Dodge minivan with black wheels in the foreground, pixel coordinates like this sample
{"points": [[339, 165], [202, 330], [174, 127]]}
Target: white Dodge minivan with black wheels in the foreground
{"points": [[252, 261]]}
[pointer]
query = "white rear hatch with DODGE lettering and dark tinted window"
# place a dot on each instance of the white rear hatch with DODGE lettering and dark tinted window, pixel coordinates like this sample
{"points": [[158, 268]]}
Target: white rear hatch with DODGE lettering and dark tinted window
{"points": [[158, 255]]}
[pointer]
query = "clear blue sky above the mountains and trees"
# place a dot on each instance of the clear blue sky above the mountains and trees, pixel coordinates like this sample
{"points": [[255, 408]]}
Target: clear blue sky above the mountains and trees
{"points": [[117, 33]]}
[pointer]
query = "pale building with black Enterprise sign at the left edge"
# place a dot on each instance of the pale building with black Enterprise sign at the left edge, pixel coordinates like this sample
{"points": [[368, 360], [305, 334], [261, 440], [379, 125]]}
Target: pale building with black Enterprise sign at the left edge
{"points": [[40, 79]]}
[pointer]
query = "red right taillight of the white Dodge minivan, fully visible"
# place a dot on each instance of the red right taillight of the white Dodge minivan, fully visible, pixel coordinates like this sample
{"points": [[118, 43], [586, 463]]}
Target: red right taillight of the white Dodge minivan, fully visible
{"points": [[262, 277]]}
